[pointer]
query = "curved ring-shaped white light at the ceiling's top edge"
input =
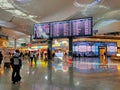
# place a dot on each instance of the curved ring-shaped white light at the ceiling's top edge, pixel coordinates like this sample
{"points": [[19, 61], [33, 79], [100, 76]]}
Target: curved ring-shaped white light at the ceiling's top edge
{"points": [[77, 4]]}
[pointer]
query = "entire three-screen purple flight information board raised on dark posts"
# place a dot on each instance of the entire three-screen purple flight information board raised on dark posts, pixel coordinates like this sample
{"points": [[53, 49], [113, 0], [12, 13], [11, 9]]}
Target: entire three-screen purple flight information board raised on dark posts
{"points": [[63, 29]]}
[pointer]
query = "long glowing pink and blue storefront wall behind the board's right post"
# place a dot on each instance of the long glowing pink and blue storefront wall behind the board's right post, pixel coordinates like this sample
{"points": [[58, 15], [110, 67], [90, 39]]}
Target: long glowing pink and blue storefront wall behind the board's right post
{"points": [[92, 48]]}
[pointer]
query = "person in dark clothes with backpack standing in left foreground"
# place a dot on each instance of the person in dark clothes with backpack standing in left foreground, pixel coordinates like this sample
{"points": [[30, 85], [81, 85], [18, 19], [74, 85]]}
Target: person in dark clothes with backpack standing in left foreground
{"points": [[16, 64]]}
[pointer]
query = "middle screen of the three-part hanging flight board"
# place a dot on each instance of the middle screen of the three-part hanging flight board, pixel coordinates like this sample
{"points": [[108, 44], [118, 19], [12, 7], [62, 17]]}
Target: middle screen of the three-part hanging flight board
{"points": [[60, 29]]}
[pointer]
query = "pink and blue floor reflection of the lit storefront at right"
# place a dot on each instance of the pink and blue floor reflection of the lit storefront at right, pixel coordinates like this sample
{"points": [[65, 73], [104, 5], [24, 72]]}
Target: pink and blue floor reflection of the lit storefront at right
{"points": [[89, 65]]}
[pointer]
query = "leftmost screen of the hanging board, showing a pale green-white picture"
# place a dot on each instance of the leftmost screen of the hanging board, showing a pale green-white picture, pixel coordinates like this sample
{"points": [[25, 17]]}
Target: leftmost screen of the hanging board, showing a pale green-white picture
{"points": [[41, 30]]}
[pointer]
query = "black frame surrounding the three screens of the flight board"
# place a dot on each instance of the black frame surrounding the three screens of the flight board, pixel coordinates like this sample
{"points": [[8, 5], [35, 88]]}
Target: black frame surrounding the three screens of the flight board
{"points": [[50, 35]]}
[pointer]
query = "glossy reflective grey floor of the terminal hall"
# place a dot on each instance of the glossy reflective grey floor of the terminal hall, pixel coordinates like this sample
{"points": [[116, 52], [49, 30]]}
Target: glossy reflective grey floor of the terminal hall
{"points": [[81, 74]]}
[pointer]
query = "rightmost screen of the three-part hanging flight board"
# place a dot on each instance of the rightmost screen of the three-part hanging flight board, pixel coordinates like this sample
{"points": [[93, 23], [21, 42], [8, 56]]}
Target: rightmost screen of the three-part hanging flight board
{"points": [[81, 27]]}
